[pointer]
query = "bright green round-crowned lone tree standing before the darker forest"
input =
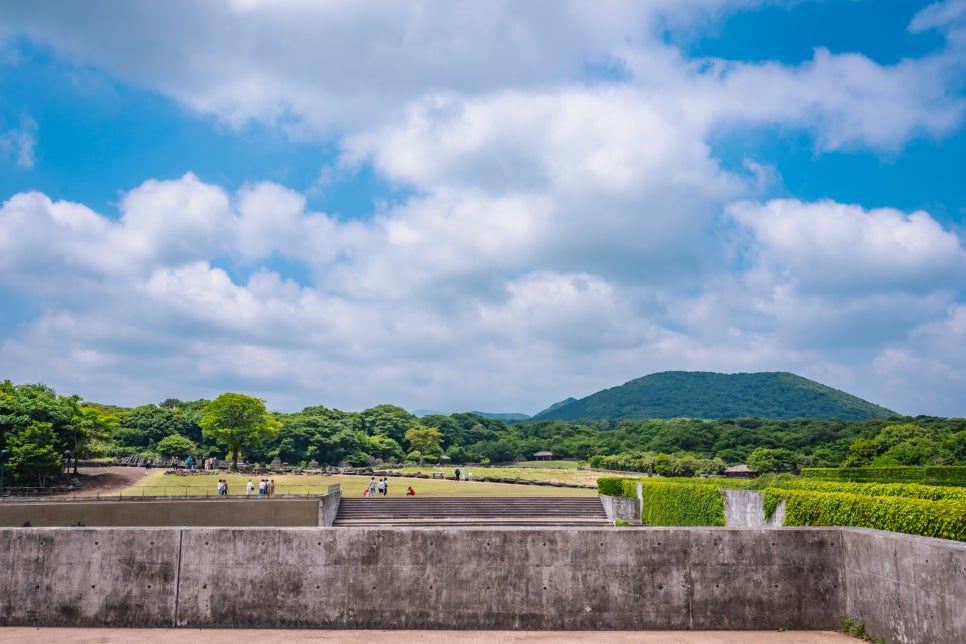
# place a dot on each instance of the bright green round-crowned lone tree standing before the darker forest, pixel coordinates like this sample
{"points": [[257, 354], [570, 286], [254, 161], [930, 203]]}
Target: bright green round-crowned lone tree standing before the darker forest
{"points": [[237, 420]]}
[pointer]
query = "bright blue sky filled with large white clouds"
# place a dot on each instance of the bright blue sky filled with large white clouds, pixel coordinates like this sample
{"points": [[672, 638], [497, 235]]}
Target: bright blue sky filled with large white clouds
{"points": [[453, 206]]}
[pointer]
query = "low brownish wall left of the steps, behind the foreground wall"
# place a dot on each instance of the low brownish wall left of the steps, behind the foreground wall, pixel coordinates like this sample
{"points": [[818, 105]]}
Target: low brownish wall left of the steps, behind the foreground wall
{"points": [[277, 512]]}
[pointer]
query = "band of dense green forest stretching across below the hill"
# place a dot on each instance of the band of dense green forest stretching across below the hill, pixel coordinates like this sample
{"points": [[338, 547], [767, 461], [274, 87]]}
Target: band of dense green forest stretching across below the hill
{"points": [[37, 427]]}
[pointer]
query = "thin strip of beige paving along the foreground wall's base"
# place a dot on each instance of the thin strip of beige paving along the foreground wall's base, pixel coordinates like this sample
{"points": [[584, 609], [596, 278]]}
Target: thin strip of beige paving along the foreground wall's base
{"points": [[31, 635]]}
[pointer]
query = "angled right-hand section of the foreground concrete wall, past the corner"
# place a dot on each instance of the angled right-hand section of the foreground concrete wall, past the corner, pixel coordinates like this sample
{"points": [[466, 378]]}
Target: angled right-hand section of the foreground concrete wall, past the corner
{"points": [[906, 589]]}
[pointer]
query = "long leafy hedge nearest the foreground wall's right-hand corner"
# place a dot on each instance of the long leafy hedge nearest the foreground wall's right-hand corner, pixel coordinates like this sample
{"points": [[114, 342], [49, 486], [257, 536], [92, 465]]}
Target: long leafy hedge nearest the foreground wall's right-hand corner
{"points": [[942, 519]]}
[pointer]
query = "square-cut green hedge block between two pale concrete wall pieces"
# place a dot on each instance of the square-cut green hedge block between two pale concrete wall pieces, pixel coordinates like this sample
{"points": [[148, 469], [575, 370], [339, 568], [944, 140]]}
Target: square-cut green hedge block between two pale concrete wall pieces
{"points": [[681, 504]]}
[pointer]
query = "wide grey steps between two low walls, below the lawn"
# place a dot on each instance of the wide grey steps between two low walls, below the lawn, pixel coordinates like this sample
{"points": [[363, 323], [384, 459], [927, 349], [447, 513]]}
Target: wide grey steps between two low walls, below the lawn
{"points": [[472, 511]]}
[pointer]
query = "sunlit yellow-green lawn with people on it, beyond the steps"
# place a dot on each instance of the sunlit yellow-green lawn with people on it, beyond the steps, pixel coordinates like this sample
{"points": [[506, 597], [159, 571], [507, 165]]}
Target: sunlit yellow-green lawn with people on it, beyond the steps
{"points": [[158, 483]]}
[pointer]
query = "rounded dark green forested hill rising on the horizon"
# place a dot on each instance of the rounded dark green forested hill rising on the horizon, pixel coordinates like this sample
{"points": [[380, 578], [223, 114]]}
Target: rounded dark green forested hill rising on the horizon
{"points": [[699, 394]]}
